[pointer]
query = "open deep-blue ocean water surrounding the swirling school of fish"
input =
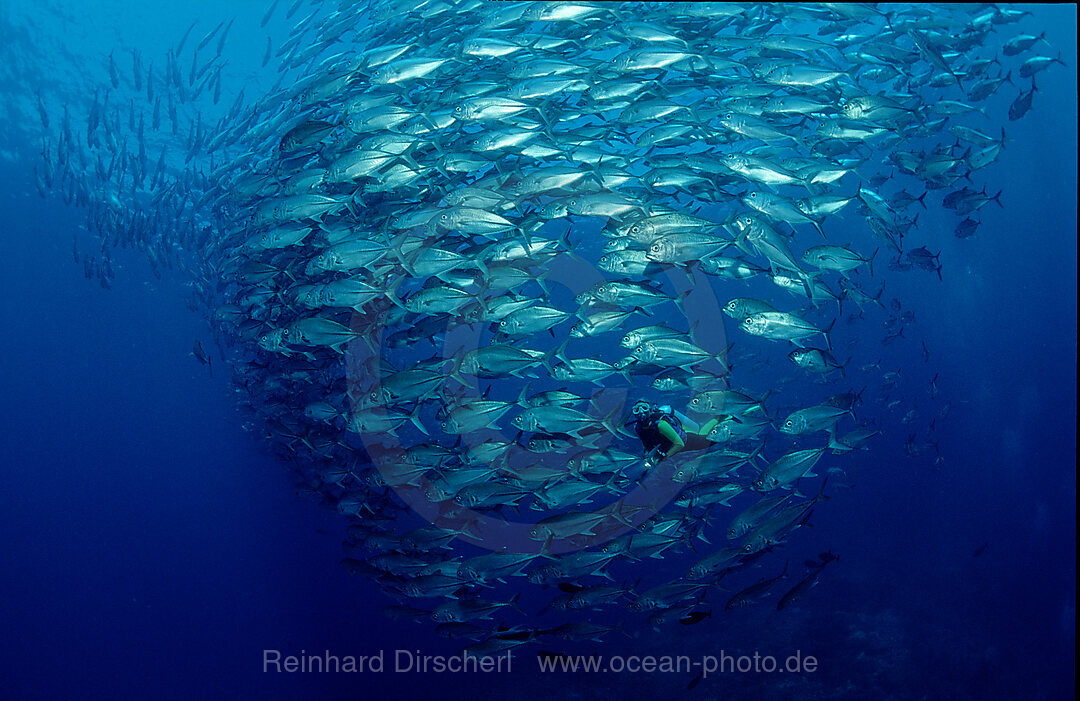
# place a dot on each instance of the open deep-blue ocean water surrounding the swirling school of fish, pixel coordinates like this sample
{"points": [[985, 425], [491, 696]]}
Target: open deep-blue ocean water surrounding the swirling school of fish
{"points": [[155, 548]]}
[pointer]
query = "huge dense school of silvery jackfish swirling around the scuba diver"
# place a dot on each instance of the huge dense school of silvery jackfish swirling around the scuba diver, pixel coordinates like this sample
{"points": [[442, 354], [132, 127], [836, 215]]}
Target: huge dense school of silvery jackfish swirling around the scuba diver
{"points": [[461, 239]]}
